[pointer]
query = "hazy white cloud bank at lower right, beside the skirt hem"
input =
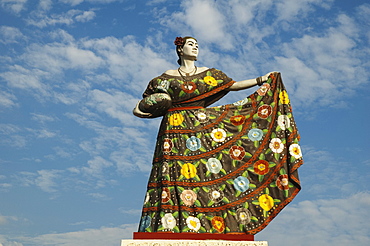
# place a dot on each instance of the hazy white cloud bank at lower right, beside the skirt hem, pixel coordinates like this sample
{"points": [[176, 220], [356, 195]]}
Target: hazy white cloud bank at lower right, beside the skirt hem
{"points": [[341, 222]]}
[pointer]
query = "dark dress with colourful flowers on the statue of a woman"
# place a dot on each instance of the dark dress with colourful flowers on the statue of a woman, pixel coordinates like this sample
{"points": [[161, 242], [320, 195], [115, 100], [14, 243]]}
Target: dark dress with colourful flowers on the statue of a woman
{"points": [[227, 169]]}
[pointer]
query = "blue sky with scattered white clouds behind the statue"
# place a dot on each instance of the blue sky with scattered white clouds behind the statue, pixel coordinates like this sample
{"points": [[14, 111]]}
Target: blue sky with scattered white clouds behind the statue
{"points": [[74, 161]]}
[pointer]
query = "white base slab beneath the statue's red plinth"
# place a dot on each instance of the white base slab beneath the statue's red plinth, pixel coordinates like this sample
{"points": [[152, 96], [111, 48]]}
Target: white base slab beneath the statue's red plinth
{"points": [[191, 243]]}
